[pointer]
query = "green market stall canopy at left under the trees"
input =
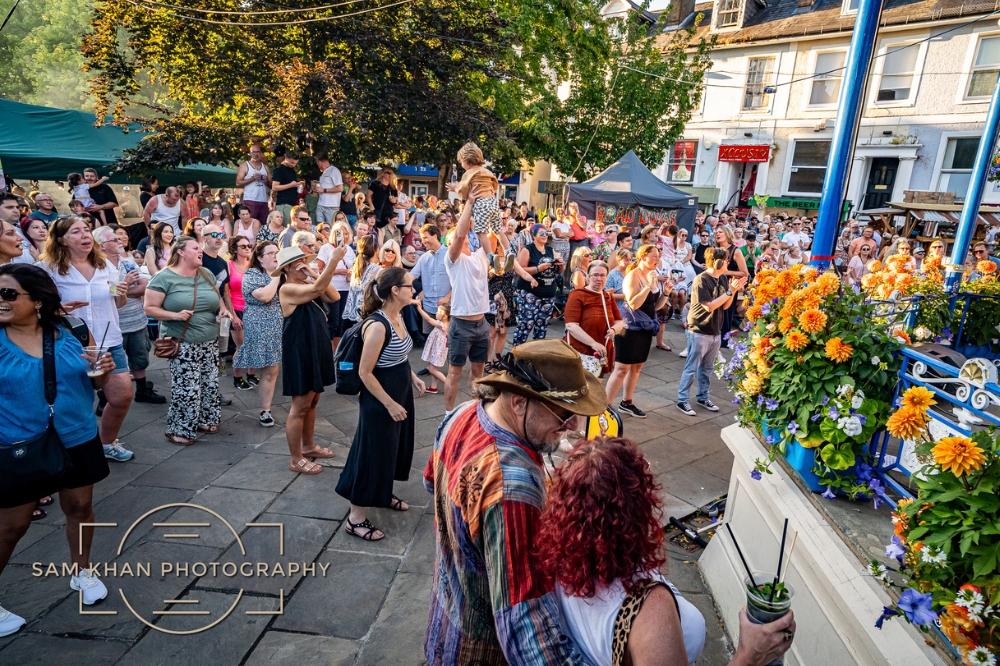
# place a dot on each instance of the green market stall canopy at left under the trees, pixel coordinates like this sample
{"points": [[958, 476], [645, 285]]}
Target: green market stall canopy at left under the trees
{"points": [[41, 143]]}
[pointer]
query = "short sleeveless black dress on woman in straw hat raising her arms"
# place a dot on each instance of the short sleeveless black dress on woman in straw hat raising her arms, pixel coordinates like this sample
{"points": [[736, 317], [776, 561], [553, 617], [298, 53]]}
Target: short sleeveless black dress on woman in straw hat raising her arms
{"points": [[306, 353]]}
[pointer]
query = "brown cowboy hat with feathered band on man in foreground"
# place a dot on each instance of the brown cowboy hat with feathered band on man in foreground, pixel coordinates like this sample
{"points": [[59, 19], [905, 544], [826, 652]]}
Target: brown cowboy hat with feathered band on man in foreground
{"points": [[549, 370]]}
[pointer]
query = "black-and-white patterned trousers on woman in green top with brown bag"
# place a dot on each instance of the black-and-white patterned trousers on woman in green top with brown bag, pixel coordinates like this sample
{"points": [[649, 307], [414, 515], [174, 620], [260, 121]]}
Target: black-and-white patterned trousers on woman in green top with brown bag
{"points": [[194, 384]]}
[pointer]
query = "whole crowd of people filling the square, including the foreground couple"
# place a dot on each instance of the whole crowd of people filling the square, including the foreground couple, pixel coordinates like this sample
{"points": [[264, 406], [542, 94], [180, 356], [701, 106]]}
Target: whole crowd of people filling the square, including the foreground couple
{"points": [[279, 272]]}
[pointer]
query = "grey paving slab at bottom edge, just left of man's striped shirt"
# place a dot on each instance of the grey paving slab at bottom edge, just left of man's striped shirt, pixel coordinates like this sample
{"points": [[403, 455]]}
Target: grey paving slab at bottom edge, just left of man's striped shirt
{"points": [[401, 624]]}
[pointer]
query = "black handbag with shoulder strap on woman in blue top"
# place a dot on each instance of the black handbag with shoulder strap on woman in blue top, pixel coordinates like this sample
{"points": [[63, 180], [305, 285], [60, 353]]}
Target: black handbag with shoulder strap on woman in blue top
{"points": [[44, 458]]}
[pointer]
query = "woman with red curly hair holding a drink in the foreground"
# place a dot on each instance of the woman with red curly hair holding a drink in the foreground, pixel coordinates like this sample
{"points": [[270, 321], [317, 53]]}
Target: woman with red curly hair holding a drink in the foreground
{"points": [[601, 542]]}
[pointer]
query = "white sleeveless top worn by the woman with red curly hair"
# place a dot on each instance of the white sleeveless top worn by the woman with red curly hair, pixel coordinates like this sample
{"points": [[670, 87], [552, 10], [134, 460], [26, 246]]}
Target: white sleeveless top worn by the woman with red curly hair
{"points": [[591, 622]]}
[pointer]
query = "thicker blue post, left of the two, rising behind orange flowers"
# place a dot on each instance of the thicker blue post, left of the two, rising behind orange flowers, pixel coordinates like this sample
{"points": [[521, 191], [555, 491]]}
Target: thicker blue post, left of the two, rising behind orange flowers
{"points": [[850, 105]]}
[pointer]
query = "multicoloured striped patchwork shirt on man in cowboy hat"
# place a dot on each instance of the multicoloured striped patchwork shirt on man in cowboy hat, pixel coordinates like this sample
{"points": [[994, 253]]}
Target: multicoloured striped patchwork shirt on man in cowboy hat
{"points": [[488, 606]]}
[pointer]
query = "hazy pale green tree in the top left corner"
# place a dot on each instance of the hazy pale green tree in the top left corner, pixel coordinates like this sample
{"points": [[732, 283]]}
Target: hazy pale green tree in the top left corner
{"points": [[40, 57]]}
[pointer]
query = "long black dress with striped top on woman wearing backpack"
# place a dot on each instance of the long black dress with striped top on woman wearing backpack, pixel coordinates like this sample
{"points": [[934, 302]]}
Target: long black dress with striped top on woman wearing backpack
{"points": [[382, 450]]}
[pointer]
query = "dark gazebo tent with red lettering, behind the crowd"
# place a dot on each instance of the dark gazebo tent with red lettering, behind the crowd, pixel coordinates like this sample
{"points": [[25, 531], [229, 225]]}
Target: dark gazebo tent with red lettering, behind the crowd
{"points": [[629, 194]]}
